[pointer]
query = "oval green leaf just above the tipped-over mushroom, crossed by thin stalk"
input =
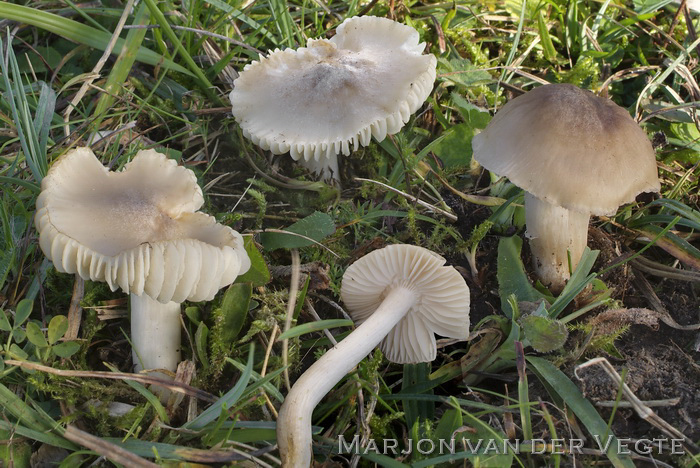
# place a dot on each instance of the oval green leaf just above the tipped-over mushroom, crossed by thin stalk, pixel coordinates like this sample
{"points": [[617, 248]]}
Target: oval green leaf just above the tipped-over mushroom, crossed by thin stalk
{"points": [[312, 228]]}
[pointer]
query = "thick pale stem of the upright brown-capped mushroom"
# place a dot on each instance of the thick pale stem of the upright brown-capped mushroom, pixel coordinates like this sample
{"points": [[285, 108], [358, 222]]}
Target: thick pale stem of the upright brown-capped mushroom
{"points": [[553, 231]]}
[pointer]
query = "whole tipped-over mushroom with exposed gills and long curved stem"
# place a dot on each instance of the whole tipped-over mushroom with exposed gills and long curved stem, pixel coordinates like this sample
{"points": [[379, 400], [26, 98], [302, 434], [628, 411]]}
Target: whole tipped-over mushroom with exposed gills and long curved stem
{"points": [[400, 296]]}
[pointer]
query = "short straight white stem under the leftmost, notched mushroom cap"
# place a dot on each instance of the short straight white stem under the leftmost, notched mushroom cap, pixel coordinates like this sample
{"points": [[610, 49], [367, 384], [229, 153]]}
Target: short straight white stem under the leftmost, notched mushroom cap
{"points": [[155, 333]]}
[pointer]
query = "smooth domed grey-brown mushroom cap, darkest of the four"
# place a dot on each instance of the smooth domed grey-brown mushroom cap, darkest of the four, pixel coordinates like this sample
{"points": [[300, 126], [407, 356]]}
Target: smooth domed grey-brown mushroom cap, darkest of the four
{"points": [[570, 148]]}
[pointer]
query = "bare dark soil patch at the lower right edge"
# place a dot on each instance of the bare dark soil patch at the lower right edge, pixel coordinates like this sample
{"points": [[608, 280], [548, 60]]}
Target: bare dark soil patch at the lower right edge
{"points": [[661, 365]]}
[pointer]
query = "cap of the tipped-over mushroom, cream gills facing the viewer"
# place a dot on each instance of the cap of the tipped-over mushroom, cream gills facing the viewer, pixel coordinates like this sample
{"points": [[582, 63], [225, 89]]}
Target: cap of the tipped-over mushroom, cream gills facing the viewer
{"points": [[442, 306]]}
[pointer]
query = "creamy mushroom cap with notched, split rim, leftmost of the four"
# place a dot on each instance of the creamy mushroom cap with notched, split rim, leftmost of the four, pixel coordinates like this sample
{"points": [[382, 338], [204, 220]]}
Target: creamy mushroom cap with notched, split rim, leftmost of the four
{"points": [[137, 229]]}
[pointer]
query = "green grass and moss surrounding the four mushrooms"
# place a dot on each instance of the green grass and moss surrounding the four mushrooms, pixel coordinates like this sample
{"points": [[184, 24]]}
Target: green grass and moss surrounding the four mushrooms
{"points": [[166, 87]]}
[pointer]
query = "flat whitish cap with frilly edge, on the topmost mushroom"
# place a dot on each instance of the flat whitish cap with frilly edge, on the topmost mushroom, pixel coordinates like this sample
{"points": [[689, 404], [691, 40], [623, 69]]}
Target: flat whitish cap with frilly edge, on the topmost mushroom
{"points": [[317, 101]]}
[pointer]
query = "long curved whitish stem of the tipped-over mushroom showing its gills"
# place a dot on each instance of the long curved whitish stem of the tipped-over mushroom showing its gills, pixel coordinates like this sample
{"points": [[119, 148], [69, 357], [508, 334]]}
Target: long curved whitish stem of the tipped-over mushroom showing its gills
{"points": [[294, 421]]}
